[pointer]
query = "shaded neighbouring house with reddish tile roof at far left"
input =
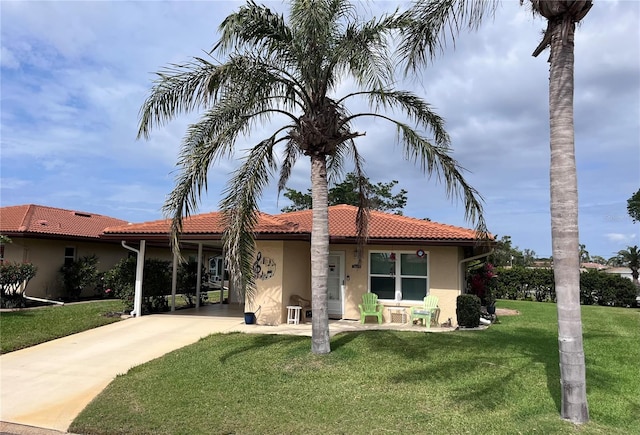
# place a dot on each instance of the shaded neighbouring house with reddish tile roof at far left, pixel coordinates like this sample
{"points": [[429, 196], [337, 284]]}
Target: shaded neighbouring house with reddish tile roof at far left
{"points": [[50, 237]]}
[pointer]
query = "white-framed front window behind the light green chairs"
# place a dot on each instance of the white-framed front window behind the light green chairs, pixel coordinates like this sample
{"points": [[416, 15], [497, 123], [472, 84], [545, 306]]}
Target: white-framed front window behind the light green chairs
{"points": [[399, 275]]}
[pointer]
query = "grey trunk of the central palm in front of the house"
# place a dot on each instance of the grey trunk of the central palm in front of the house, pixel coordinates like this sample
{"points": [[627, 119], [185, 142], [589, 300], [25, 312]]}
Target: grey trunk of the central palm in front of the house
{"points": [[320, 342]]}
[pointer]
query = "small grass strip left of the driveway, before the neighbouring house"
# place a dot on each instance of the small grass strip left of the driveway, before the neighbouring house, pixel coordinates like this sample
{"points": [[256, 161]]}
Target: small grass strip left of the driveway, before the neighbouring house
{"points": [[26, 328]]}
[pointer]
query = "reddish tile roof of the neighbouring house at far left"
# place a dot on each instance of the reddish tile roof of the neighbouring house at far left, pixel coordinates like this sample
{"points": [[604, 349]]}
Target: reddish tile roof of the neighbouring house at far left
{"points": [[37, 219]]}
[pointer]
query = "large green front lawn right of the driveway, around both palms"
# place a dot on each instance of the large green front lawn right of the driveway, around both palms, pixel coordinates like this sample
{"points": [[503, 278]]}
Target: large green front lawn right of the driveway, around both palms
{"points": [[501, 380]]}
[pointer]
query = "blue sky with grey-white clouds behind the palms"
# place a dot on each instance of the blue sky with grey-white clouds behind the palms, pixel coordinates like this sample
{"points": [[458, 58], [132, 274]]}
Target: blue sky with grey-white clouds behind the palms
{"points": [[74, 75]]}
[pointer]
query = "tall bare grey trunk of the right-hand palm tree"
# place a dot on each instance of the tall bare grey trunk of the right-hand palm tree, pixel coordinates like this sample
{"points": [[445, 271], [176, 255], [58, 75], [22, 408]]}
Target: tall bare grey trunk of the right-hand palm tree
{"points": [[564, 225]]}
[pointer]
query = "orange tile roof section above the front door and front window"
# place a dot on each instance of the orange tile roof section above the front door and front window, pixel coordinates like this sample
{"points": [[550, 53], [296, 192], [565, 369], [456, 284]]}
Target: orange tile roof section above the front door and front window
{"points": [[381, 225]]}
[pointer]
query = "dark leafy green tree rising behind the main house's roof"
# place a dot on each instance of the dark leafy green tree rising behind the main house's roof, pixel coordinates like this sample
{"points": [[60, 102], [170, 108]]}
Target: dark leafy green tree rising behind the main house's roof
{"points": [[379, 196]]}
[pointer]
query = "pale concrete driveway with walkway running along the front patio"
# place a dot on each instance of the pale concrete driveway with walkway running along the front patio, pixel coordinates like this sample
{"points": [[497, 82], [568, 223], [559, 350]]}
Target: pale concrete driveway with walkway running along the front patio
{"points": [[46, 386]]}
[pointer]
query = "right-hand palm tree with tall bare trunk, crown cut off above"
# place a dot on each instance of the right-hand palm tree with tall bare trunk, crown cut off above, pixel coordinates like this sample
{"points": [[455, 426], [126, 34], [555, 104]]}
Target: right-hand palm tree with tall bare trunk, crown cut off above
{"points": [[428, 24]]}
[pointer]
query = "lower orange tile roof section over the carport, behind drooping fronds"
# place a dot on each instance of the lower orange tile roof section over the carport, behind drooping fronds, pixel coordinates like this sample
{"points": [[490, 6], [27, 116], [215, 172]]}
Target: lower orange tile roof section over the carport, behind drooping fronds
{"points": [[206, 224]]}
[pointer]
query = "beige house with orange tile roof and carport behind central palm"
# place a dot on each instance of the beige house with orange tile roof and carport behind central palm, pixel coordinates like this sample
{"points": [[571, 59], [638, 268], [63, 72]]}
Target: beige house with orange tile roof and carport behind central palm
{"points": [[404, 259]]}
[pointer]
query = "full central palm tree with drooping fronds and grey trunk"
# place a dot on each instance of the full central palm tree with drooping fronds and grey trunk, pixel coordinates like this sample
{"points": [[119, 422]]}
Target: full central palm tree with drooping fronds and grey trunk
{"points": [[286, 71]]}
